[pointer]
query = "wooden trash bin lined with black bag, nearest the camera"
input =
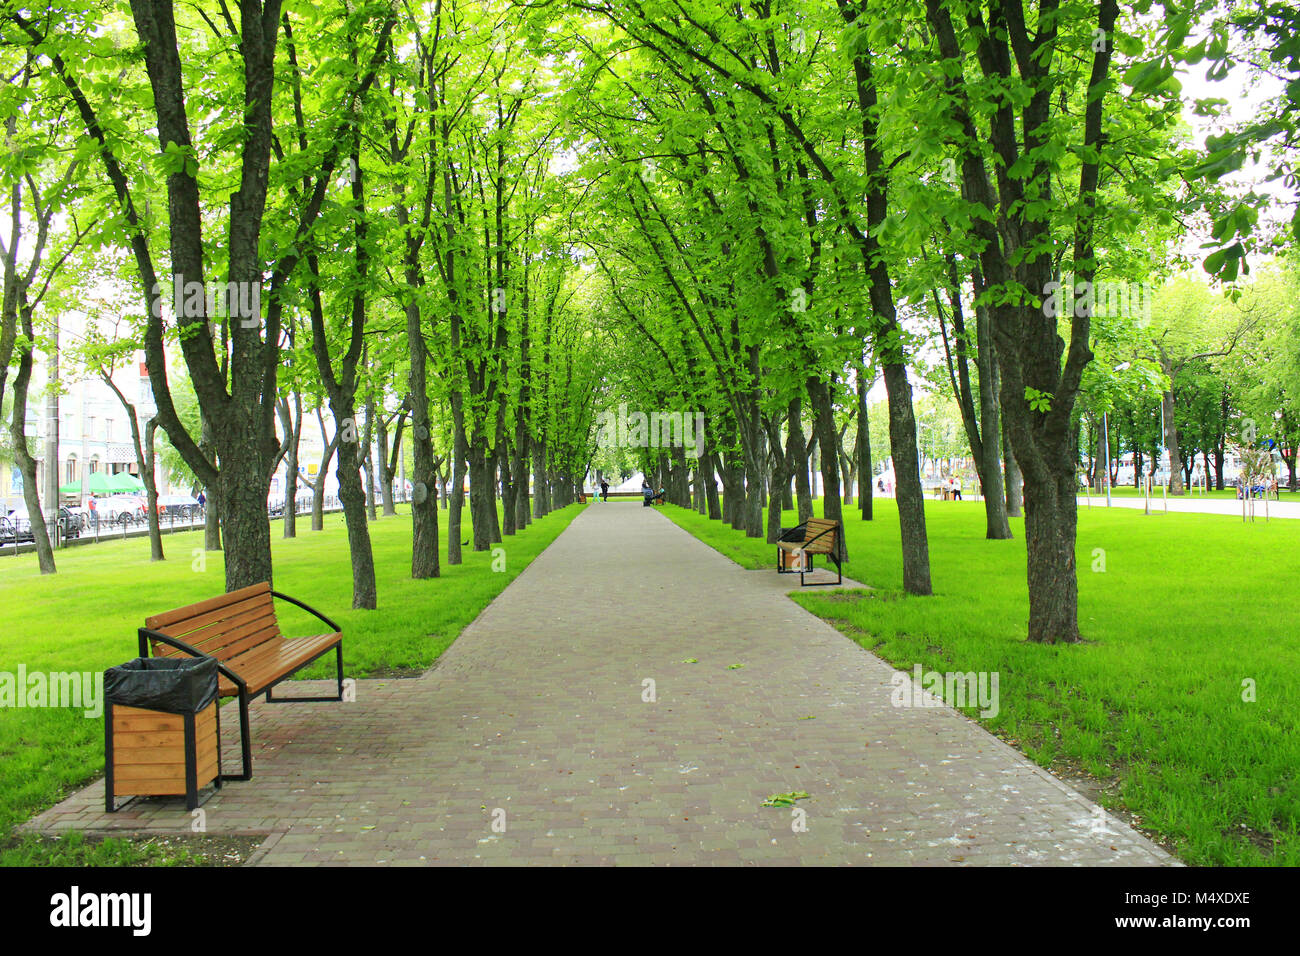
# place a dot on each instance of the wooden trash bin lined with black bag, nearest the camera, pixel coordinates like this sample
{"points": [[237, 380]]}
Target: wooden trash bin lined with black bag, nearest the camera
{"points": [[154, 752]]}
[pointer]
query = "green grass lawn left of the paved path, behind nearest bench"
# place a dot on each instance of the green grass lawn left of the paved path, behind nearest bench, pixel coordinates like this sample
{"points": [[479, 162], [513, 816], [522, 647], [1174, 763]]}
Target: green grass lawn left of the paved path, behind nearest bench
{"points": [[85, 618]]}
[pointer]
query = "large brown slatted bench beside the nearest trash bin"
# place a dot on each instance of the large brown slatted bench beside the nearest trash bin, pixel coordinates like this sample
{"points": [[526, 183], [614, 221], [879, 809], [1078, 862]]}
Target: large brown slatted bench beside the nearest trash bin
{"points": [[240, 630]]}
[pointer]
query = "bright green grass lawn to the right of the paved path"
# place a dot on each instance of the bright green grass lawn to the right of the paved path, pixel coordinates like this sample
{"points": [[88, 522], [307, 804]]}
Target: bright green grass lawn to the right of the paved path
{"points": [[1151, 706]]}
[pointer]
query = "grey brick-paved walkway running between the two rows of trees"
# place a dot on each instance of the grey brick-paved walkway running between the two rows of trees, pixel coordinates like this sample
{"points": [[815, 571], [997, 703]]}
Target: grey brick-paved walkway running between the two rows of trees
{"points": [[535, 720]]}
